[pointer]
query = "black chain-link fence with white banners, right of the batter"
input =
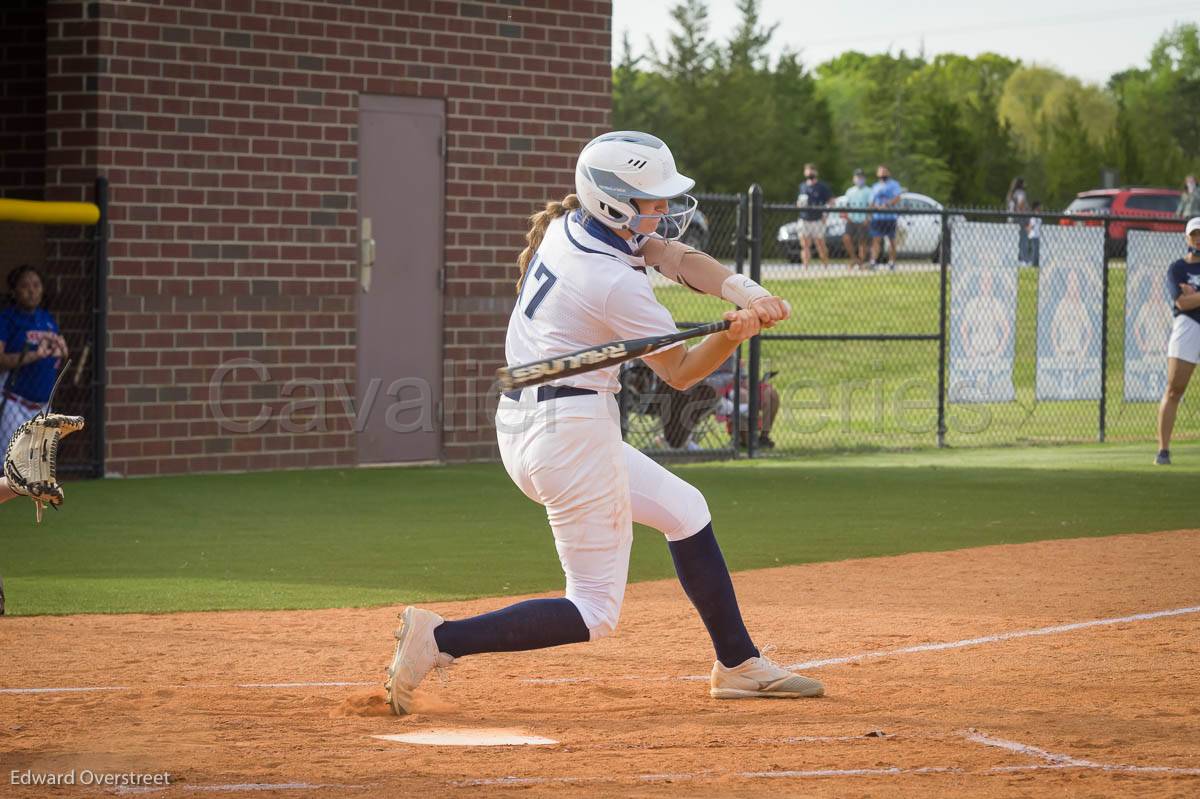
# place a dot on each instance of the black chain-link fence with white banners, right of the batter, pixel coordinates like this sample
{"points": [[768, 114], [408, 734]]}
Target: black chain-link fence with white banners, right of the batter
{"points": [[926, 327]]}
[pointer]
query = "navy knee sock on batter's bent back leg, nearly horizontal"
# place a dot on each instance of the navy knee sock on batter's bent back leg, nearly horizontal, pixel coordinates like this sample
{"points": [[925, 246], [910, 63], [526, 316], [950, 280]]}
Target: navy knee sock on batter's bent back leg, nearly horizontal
{"points": [[533, 624]]}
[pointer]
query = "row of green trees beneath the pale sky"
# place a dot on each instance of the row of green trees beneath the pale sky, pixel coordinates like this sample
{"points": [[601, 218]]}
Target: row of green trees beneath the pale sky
{"points": [[955, 128]]}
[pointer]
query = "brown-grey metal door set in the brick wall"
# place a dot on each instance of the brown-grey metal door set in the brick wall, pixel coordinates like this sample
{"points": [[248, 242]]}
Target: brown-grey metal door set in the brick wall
{"points": [[400, 257]]}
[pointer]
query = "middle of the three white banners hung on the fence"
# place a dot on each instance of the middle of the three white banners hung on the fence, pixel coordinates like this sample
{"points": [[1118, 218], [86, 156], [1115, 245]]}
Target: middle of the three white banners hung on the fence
{"points": [[1070, 314]]}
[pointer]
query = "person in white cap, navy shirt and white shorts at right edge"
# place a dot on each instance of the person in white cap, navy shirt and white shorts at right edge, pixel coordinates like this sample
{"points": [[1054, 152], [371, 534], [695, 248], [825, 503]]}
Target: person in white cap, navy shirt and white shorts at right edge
{"points": [[1184, 351]]}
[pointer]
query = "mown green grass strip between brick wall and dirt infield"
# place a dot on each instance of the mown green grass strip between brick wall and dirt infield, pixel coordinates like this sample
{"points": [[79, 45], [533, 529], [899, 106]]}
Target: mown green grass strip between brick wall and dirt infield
{"points": [[323, 539]]}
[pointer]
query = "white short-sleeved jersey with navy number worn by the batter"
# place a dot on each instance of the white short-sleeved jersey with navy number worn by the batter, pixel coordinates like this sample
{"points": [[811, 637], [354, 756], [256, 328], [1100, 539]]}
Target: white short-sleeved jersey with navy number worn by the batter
{"points": [[586, 286]]}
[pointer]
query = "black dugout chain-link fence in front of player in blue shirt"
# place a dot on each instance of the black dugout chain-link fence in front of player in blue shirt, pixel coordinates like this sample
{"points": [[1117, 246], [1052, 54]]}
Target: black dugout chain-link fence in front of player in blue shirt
{"points": [[52, 301]]}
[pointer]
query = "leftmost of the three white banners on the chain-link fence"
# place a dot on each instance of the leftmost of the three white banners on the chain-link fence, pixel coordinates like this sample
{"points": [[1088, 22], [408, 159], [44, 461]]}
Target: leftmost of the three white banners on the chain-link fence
{"points": [[983, 311]]}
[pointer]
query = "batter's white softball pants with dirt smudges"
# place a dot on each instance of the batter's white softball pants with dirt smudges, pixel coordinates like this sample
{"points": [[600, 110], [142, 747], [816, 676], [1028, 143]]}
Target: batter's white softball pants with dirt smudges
{"points": [[567, 454]]}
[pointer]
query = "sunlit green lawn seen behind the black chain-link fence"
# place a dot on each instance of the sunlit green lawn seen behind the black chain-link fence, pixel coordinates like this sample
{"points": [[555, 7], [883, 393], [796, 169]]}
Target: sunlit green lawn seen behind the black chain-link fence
{"points": [[884, 395]]}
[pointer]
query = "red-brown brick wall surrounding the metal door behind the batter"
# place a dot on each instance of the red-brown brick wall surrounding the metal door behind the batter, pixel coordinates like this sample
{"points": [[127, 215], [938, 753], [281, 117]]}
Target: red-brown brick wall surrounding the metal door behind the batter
{"points": [[227, 130]]}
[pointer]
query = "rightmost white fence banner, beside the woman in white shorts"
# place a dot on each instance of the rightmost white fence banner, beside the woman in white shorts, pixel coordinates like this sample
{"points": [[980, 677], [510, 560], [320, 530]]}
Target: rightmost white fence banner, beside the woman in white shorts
{"points": [[1148, 313]]}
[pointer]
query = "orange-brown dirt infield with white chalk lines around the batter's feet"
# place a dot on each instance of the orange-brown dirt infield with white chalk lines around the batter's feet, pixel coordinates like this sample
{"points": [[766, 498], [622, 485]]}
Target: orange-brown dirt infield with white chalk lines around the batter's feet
{"points": [[1048, 708]]}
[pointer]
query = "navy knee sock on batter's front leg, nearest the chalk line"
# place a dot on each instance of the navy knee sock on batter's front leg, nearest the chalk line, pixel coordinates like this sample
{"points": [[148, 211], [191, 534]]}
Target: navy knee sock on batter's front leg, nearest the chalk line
{"points": [[706, 581]]}
